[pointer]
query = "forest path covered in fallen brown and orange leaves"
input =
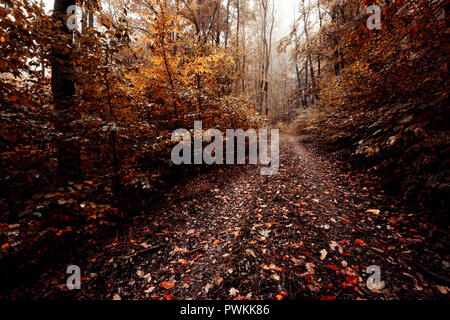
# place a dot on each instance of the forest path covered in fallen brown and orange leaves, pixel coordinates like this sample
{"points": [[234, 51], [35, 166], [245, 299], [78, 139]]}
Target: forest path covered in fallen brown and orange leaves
{"points": [[309, 232]]}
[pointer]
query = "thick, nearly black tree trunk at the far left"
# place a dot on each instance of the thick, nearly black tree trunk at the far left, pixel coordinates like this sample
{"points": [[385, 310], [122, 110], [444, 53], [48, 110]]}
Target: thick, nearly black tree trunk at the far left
{"points": [[63, 90]]}
